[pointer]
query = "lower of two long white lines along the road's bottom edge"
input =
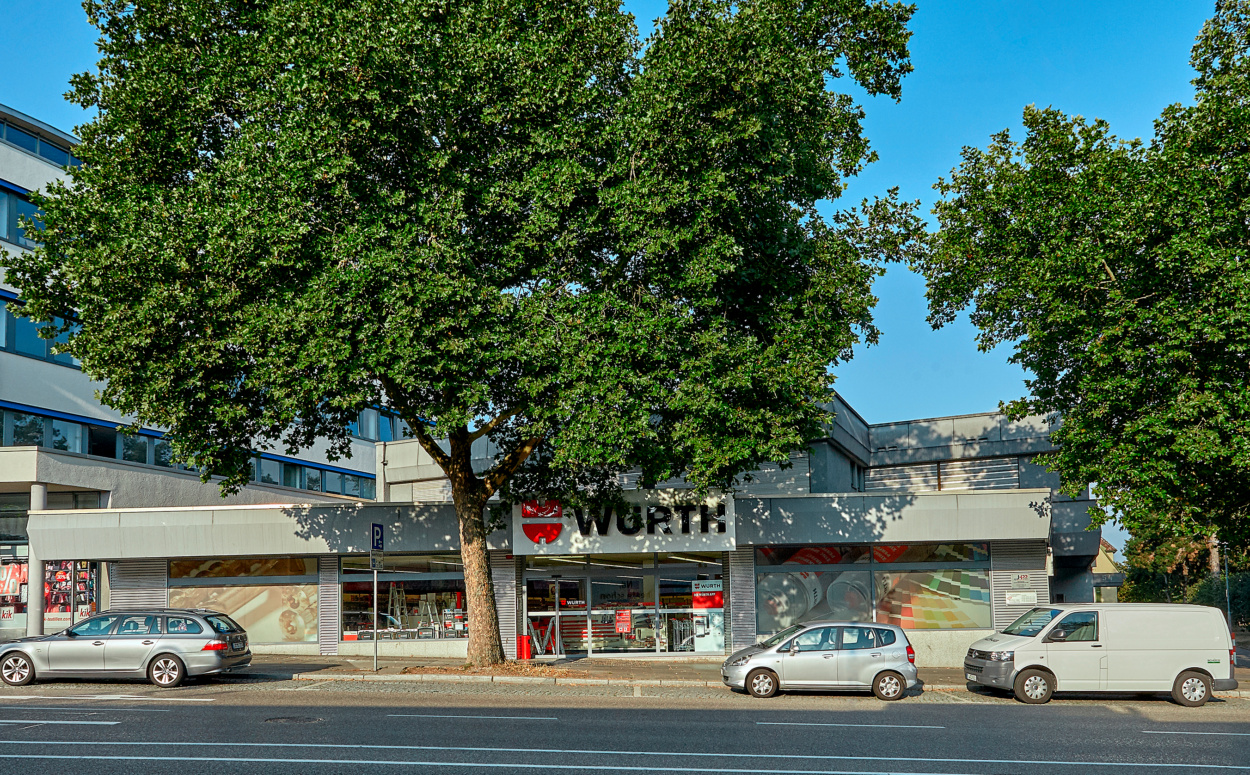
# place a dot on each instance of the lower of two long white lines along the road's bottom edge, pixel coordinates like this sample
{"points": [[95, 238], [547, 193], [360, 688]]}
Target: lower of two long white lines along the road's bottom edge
{"points": [[478, 766]]}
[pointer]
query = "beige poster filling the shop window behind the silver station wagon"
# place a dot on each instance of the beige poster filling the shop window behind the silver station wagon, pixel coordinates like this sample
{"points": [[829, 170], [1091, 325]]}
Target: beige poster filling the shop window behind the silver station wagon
{"points": [[273, 614]]}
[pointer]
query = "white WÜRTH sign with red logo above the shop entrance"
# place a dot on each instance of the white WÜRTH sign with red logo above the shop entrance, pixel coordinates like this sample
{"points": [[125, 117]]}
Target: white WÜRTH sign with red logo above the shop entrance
{"points": [[653, 521]]}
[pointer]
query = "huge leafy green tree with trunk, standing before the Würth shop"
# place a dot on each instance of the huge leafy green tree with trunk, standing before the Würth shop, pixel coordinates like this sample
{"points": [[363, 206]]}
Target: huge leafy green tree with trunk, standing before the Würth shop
{"points": [[501, 219]]}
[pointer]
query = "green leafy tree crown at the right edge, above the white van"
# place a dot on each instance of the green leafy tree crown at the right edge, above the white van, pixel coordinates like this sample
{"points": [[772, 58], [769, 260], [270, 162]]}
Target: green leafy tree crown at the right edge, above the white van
{"points": [[1119, 273]]}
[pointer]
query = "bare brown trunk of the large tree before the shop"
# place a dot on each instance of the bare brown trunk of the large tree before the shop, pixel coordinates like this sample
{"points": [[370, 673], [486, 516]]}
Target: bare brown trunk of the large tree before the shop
{"points": [[486, 647]]}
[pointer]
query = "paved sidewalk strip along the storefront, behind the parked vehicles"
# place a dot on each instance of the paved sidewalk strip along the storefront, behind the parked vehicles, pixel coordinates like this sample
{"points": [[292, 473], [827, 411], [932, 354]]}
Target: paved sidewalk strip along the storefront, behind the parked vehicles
{"points": [[578, 672]]}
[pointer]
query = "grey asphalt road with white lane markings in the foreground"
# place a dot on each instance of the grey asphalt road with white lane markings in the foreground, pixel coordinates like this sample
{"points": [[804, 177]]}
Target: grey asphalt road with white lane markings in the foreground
{"points": [[322, 728]]}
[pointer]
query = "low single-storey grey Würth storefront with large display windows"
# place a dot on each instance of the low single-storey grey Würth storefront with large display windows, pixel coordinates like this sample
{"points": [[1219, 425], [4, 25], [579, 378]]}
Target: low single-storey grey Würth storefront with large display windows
{"points": [[669, 576]]}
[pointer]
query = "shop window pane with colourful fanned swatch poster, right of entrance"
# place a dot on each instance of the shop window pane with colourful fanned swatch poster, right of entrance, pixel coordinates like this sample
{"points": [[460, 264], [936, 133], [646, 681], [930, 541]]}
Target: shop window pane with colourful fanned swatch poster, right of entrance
{"points": [[937, 599]]}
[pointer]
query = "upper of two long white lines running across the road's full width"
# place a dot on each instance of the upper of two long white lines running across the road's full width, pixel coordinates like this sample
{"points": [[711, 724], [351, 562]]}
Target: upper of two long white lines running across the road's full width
{"points": [[637, 753]]}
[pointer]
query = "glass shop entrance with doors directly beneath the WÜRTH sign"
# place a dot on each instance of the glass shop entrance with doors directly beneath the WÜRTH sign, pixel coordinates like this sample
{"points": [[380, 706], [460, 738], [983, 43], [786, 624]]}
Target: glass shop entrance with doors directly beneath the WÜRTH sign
{"points": [[626, 604]]}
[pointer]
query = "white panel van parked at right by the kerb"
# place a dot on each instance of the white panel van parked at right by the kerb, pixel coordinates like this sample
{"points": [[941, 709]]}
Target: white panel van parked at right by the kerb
{"points": [[1183, 649]]}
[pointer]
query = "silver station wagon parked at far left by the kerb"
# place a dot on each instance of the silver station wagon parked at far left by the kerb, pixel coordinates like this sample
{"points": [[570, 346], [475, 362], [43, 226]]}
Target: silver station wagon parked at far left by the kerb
{"points": [[166, 646]]}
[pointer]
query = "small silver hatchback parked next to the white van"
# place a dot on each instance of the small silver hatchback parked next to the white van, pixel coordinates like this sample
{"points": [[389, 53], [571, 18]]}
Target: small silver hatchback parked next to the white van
{"points": [[834, 656]]}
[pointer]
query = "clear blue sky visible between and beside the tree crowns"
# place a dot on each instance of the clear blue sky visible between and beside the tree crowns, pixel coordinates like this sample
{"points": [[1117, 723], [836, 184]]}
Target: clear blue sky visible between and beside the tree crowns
{"points": [[977, 66]]}
